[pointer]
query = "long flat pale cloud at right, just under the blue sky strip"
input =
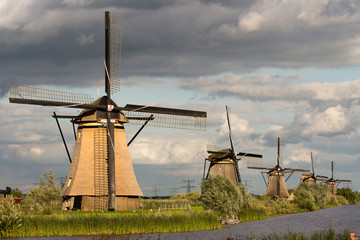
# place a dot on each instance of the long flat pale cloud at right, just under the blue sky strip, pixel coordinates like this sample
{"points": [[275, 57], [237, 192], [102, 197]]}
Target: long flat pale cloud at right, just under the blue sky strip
{"points": [[275, 88]]}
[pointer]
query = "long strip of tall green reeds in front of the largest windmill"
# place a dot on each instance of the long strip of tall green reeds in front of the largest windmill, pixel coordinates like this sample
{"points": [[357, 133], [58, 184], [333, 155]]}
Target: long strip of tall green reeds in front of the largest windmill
{"points": [[114, 224]]}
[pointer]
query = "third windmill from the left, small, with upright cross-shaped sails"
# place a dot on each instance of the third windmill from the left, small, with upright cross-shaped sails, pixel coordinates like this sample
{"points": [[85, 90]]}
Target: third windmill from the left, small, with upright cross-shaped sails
{"points": [[276, 185]]}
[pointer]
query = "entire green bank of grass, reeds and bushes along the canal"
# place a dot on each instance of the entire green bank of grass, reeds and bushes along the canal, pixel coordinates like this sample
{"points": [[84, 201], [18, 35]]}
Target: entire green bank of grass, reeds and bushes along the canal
{"points": [[40, 212]]}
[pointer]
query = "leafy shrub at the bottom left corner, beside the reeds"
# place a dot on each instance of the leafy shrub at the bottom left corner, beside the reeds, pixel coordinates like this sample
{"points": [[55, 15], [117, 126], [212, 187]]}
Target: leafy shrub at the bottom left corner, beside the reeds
{"points": [[10, 215]]}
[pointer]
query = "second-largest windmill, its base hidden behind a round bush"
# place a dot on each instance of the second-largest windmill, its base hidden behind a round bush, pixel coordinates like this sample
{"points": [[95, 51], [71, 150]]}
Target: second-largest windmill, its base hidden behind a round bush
{"points": [[224, 161]]}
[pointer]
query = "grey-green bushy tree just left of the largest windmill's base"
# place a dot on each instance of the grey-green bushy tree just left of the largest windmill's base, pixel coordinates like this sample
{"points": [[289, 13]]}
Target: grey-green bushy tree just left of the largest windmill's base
{"points": [[45, 196]]}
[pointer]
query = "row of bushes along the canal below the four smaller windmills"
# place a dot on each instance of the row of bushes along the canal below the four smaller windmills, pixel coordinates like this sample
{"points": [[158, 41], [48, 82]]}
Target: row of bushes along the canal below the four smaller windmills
{"points": [[229, 200]]}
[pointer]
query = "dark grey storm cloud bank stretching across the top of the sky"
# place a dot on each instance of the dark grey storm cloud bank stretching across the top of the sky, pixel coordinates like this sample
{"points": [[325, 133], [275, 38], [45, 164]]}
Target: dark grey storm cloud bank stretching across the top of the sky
{"points": [[62, 42]]}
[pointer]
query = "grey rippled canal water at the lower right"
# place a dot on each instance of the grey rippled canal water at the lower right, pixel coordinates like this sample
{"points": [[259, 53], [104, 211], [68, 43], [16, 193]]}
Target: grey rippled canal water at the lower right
{"points": [[338, 218]]}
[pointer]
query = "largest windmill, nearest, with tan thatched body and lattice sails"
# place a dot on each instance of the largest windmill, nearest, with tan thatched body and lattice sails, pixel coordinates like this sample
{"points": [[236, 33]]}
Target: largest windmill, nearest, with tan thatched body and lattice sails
{"points": [[101, 175]]}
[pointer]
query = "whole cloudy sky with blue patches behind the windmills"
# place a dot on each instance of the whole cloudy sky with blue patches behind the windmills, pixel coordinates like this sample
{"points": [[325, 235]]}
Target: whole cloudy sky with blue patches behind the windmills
{"points": [[286, 69]]}
